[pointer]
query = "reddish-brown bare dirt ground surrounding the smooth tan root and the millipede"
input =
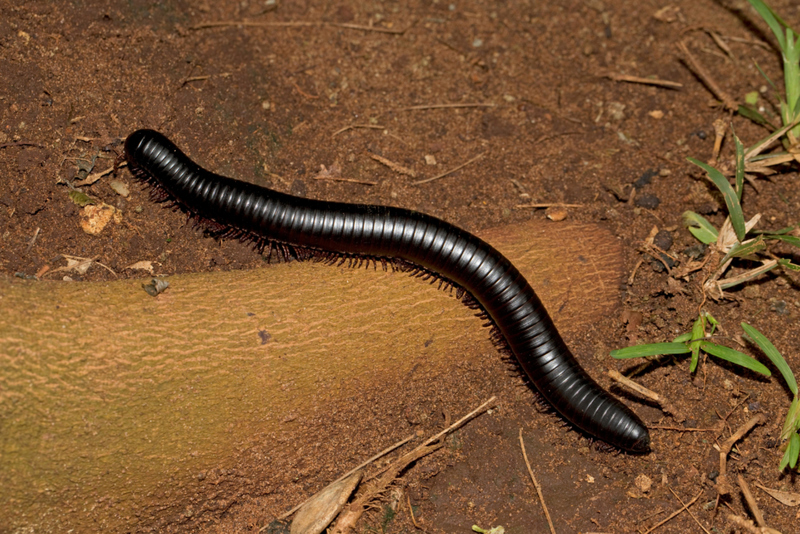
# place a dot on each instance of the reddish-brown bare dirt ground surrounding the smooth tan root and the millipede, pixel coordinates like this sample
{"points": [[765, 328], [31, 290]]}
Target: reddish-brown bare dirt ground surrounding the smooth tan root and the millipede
{"points": [[268, 104]]}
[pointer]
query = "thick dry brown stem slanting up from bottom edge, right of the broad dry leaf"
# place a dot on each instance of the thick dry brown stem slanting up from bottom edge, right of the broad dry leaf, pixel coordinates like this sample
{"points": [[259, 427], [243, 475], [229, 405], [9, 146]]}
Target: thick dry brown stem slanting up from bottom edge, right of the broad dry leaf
{"points": [[347, 520]]}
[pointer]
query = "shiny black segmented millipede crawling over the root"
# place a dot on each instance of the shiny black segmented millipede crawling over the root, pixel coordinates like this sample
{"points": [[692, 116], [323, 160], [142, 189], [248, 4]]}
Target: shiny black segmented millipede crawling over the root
{"points": [[394, 234]]}
